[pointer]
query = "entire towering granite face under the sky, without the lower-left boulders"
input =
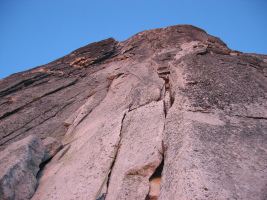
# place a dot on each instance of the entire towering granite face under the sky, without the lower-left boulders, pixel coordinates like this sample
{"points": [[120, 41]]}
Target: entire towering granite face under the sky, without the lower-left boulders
{"points": [[169, 113]]}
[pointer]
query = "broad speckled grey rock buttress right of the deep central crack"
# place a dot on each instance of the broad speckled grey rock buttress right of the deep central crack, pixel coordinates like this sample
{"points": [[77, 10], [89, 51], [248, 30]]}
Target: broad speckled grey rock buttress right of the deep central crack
{"points": [[211, 132]]}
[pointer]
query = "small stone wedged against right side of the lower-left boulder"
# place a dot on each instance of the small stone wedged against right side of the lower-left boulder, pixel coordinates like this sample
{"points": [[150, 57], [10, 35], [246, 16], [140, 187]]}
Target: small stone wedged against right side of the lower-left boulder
{"points": [[52, 146]]}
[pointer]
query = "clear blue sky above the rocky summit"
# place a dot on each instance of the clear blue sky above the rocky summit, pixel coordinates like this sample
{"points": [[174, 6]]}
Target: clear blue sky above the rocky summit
{"points": [[36, 32]]}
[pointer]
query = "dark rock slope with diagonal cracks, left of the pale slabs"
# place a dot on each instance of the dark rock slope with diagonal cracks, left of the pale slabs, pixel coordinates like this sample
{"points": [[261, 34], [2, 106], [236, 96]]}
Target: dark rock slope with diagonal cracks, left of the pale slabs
{"points": [[49, 94]]}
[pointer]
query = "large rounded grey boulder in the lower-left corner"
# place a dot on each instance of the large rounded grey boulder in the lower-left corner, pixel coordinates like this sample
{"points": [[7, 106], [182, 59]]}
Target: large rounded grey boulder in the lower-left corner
{"points": [[18, 169]]}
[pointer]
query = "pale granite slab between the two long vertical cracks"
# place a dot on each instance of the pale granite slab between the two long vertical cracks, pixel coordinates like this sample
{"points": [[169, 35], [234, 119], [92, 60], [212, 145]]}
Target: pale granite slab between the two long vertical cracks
{"points": [[140, 152]]}
